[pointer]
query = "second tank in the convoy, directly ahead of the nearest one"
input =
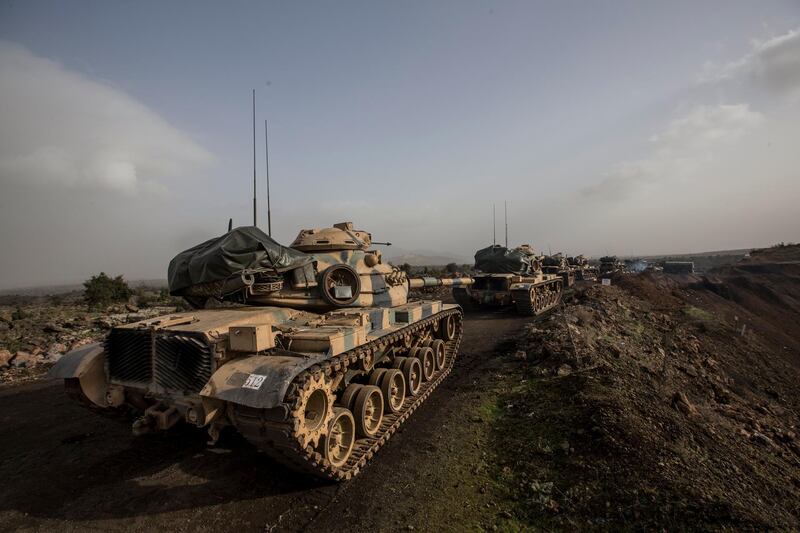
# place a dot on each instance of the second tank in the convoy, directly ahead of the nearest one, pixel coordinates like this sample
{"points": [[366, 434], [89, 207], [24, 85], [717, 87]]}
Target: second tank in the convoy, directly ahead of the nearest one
{"points": [[508, 278]]}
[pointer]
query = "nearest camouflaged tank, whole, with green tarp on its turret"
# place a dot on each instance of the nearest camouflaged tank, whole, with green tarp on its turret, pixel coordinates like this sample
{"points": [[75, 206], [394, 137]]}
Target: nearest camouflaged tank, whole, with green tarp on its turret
{"points": [[314, 353]]}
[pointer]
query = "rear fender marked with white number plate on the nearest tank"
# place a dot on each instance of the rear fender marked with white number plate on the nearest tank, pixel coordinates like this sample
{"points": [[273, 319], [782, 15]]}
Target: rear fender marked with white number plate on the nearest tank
{"points": [[258, 381]]}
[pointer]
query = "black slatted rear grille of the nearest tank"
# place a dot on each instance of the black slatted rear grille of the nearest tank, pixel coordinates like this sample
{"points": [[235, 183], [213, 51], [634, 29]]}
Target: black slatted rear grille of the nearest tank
{"points": [[167, 360]]}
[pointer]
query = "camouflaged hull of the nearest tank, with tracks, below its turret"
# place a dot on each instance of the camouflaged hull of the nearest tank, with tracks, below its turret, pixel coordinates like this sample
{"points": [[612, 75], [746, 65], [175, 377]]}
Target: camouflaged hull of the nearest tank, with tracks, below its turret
{"points": [[277, 375]]}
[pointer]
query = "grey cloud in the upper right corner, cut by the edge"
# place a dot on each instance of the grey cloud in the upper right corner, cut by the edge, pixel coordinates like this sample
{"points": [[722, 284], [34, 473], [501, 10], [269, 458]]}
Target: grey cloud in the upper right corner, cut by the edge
{"points": [[772, 63]]}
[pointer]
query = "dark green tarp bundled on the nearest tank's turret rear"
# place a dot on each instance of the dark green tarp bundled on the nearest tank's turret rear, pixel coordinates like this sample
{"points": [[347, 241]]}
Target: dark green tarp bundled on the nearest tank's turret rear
{"points": [[242, 250]]}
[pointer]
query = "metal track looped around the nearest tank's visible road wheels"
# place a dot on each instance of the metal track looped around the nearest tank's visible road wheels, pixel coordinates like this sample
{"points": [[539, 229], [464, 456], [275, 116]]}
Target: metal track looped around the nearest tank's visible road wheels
{"points": [[273, 431]]}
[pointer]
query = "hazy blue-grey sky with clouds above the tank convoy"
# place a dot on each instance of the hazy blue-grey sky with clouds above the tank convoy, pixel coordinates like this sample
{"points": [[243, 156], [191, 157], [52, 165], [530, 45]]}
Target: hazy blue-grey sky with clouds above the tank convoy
{"points": [[623, 127]]}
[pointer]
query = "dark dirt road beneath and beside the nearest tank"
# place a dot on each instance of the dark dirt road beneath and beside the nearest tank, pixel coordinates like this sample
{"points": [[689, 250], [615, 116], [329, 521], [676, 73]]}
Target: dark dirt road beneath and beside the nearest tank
{"points": [[66, 469]]}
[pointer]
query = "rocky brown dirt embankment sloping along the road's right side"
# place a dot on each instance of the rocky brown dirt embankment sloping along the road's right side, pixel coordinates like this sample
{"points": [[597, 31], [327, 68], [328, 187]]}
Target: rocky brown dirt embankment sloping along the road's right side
{"points": [[657, 402]]}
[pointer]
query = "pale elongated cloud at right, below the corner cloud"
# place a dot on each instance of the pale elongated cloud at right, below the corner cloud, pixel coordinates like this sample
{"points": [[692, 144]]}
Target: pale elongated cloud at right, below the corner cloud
{"points": [[679, 152]]}
